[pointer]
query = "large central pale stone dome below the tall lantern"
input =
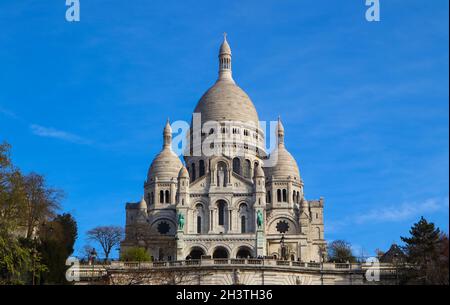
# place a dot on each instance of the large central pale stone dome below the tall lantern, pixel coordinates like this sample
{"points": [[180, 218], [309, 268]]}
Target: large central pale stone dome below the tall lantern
{"points": [[226, 101]]}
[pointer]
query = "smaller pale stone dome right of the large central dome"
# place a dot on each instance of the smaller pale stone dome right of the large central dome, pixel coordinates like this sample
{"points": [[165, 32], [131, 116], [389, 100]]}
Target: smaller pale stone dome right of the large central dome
{"points": [[285, 166]]}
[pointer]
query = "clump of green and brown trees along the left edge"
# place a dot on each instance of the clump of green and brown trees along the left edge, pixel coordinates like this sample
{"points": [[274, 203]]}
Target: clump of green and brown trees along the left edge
{"points": [[26, 203]]}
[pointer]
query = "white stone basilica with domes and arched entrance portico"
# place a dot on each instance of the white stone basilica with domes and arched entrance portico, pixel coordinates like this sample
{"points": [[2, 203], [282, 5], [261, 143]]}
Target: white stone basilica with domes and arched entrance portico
{"points": [[230, 198]]}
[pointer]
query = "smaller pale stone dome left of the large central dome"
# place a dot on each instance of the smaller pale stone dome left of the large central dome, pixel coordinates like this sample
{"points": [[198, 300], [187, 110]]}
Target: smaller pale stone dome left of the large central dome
{"points": [[166, 165]]}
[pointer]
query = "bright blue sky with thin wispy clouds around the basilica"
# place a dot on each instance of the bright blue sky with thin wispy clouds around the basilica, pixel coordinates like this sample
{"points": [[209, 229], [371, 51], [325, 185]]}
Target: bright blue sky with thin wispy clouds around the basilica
{"points": [[364, 105]]}
